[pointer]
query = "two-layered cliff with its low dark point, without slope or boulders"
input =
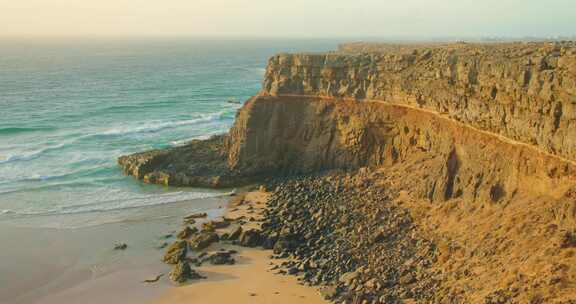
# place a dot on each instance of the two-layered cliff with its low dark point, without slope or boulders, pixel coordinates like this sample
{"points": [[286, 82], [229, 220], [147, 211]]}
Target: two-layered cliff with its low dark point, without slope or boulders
{"points": [[495, 114]]}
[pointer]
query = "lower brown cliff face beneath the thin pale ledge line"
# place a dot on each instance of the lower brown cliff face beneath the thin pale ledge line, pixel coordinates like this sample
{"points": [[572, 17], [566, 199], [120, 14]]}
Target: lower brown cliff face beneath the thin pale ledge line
{"points": [[308, 134]]}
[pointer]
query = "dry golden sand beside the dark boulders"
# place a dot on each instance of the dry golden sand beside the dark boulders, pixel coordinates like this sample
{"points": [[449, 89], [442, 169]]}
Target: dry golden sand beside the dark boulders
{"points": [[250, 280]]}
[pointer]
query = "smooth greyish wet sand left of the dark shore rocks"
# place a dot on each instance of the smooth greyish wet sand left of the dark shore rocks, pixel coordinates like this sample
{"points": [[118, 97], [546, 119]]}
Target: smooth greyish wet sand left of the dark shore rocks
{"points": [[47, 265]]}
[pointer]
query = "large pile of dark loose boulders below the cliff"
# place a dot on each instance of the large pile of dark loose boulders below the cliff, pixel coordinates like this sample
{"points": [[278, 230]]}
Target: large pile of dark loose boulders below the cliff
{"points": [[342, 232]]}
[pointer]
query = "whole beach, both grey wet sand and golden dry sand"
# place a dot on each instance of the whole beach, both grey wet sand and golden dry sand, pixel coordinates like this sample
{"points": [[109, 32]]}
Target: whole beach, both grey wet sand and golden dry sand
{"points": [[81, 266]]}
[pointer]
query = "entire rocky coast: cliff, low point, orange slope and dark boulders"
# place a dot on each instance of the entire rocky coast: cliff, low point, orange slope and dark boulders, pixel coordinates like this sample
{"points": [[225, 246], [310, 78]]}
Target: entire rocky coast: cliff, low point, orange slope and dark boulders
{"points": [[398, 174]]}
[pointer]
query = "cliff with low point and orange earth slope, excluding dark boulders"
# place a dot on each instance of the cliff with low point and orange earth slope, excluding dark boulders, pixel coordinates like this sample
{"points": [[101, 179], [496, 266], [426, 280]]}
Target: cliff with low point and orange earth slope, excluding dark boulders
{"points": [[476, 142]]}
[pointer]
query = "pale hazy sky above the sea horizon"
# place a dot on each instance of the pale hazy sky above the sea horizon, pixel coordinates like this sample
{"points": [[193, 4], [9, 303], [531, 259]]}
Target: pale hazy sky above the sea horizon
{"points": [[299, 18]]}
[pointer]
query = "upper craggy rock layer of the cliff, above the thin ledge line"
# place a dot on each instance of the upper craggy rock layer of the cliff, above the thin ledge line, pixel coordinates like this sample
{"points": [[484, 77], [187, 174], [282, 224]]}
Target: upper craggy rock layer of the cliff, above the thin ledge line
{"points": [[526, 92]]}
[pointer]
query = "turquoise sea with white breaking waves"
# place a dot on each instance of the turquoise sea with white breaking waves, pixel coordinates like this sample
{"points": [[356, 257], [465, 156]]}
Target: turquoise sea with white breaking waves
{"points": [[70, 108]]}
